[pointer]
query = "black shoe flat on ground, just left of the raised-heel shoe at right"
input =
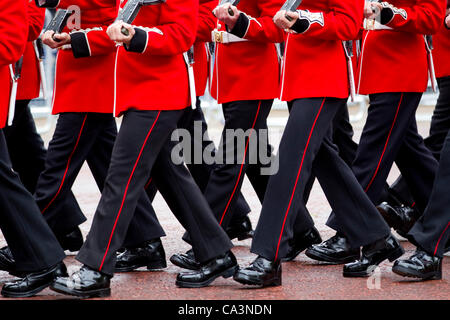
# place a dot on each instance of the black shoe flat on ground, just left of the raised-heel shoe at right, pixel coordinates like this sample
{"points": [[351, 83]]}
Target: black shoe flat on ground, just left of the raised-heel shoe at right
{"points": [[335, 250]]}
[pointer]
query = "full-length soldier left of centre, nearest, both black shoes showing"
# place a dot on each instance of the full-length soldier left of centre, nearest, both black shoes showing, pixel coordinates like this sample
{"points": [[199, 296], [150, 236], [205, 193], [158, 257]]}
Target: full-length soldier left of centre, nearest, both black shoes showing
{"points": [[152, 94]]}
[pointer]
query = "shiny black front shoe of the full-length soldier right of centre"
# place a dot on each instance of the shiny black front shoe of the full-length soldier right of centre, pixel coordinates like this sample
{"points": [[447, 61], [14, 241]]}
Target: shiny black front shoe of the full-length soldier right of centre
{"points": [[261, 272]]}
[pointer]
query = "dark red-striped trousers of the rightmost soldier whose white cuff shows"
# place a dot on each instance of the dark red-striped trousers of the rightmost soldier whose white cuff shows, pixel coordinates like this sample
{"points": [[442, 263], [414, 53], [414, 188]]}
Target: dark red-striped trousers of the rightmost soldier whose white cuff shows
{"points": [[390, 134]]}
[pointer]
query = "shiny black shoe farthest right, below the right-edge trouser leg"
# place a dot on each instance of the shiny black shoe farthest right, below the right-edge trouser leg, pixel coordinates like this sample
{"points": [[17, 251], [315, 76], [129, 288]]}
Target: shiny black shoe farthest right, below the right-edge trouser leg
{"points": [[420, 265]]}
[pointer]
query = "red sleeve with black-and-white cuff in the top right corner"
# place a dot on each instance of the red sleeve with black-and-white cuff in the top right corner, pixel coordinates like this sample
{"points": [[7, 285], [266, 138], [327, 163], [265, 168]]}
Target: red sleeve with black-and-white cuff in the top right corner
{"points": [[425, 17]]}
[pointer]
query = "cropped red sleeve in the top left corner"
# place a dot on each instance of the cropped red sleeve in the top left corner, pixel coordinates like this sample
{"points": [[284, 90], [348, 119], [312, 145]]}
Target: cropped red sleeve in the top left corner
{"points": [[13, 30]]}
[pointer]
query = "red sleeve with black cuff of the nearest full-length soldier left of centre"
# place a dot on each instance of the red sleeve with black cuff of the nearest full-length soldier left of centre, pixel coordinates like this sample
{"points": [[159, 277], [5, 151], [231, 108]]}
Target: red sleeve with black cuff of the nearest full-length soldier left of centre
{"points": [[175, 32]]}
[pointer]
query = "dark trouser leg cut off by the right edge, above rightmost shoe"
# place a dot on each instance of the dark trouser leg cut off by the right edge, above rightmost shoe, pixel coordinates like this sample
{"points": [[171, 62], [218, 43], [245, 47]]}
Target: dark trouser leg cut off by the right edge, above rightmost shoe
{"points": [[432, 231]]}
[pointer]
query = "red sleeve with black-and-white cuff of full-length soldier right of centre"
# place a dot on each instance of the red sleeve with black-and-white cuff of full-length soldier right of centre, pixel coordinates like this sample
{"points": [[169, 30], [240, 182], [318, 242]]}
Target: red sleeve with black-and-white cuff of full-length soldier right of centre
{"points": [[343, 22]]}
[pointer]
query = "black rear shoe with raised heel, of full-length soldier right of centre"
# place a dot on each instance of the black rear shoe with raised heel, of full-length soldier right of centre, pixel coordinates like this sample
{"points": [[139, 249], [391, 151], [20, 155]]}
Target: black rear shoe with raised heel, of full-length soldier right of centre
{"points": [[372, 255]]}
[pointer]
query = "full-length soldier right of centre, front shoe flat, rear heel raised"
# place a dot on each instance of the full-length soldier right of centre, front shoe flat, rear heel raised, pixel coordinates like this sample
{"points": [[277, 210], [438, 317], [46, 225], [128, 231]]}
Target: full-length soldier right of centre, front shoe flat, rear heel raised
{"points": [[314, 84]]}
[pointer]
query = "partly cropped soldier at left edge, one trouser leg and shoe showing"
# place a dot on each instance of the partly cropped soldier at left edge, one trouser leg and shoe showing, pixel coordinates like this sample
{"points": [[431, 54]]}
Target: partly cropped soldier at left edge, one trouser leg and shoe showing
{"points": [[35, 249]]}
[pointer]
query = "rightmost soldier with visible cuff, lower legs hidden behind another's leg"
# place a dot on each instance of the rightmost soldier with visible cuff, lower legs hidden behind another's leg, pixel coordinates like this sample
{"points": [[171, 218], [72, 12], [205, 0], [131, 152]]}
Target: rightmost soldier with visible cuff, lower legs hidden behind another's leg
{"points": [[390, 133]]}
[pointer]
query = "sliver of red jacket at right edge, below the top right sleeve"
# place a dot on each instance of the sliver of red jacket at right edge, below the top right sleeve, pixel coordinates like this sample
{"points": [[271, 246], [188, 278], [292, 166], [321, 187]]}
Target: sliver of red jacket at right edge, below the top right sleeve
{"points": [[441, 52]]}
